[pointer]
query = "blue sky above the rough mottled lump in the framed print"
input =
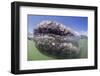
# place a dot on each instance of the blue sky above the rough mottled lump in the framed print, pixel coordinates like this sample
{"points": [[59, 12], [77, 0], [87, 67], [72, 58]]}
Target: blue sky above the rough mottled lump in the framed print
{"points": [[79, 24]]}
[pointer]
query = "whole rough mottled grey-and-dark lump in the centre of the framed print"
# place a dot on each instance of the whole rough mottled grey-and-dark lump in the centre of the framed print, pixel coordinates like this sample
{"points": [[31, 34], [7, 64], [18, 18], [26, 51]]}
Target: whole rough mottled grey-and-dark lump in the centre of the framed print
{"points": [[56, 40]]}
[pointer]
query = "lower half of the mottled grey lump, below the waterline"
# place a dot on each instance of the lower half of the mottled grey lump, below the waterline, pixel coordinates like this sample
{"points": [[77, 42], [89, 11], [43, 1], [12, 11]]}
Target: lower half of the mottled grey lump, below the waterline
{"points": [[57, 46]]}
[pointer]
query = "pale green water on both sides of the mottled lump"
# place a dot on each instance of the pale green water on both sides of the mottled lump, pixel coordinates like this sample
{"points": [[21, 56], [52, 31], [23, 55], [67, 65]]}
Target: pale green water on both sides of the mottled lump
{"points": [[34, 54]]}
